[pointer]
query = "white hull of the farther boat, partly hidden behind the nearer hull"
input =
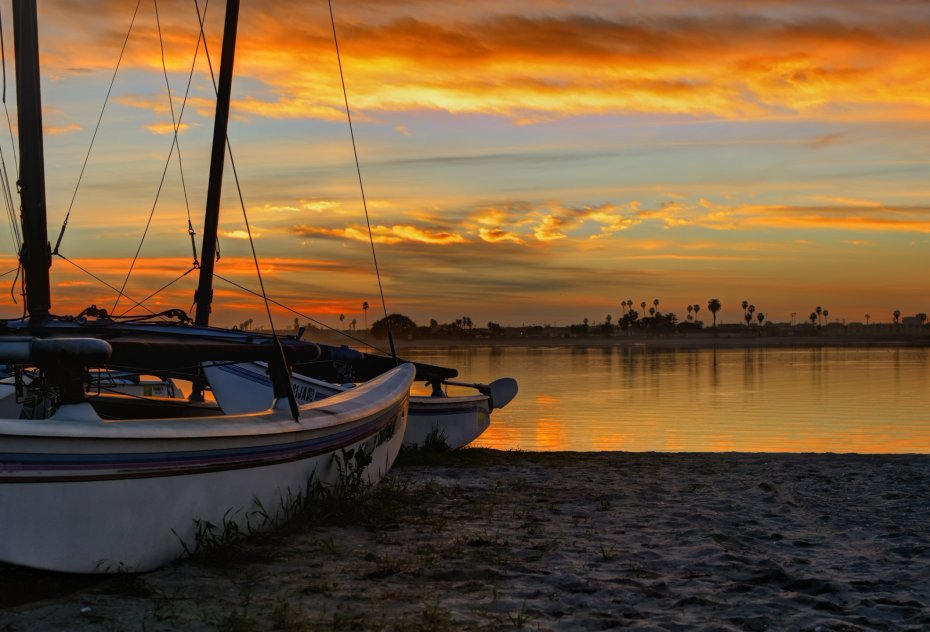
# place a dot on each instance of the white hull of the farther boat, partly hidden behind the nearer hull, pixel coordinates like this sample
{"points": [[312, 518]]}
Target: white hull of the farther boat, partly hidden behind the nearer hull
{"points": [[245, 386]]}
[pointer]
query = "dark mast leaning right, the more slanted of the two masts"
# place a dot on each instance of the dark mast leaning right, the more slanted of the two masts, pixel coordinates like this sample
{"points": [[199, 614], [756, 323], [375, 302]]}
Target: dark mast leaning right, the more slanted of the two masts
{"points": [[204, 295]]}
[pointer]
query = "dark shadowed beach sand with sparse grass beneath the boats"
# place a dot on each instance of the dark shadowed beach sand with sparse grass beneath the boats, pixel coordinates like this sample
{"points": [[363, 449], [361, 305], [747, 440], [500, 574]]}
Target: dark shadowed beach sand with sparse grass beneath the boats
{"points": [[557, 541]]}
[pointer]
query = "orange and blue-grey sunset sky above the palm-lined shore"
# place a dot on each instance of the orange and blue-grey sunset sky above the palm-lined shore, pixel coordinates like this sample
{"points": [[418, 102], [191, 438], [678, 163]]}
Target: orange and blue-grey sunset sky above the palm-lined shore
{"points": [[524, 162]]}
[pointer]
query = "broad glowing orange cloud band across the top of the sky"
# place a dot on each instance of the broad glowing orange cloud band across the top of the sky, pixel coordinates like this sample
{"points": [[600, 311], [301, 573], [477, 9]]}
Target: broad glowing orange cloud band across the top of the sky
{"points": [[708, 59]]}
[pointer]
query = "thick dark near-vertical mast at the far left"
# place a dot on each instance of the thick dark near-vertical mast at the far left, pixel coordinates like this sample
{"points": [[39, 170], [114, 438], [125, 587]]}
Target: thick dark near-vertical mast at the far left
{"points": [[35, 255]]}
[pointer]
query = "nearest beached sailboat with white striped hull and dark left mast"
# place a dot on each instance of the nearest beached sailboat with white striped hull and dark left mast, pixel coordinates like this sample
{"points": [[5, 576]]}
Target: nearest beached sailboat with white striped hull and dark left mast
{"points": [[82, 494]]}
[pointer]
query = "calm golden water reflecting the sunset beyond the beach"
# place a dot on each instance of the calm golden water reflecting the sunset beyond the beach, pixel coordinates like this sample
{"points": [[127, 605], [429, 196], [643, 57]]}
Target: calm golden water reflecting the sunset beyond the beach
{"points": [[773, 400]]}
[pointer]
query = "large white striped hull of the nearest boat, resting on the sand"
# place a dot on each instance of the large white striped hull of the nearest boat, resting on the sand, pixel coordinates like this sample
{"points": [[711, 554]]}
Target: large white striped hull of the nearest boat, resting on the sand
{"points": [[79, 494]]}
